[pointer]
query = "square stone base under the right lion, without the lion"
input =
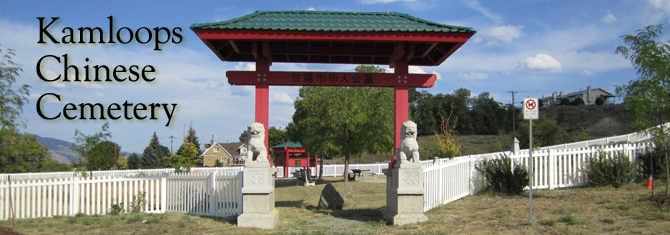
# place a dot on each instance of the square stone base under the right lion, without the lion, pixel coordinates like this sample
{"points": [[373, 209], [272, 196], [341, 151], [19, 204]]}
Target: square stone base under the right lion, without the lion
{"points": [[404, 195]]}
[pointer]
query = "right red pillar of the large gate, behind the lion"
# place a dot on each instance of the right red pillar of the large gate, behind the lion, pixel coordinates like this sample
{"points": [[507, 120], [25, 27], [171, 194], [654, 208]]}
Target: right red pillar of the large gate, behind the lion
{"points": [[401, 108]]}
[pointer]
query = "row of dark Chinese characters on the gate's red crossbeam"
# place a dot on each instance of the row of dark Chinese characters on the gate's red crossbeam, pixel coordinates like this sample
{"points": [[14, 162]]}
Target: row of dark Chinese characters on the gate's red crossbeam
{"points": [[333, 78]]}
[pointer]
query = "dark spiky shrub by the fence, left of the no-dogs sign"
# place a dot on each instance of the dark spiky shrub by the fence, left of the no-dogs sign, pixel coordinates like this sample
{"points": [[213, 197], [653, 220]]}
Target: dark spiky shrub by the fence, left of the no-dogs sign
{"points": [[502, 178]]}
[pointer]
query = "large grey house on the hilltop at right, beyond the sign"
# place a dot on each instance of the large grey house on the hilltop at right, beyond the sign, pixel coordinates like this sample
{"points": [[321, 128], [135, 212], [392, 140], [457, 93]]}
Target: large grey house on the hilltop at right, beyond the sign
{"points": [[589, 96]]}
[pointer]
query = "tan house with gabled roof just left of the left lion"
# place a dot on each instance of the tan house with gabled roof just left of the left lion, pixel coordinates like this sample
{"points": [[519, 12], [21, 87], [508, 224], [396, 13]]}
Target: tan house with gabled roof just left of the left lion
{"points": [[226, 153]]}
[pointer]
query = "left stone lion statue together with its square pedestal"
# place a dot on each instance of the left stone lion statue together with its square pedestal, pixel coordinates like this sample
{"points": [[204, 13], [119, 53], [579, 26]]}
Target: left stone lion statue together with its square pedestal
{"points": [[258, 190]]}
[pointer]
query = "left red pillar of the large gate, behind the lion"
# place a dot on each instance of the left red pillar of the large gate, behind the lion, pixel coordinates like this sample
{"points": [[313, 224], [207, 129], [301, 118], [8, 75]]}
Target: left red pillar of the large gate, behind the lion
{"points": [[262, 99]]}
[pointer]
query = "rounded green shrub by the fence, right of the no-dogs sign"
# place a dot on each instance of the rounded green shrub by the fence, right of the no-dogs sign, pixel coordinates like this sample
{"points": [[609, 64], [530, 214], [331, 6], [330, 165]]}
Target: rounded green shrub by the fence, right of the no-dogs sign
{"points": [[605, 169]]}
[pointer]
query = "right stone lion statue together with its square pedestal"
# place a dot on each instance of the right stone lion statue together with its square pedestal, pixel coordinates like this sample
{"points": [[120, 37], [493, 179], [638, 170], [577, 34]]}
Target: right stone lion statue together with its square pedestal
{"points": [[404, 183]]}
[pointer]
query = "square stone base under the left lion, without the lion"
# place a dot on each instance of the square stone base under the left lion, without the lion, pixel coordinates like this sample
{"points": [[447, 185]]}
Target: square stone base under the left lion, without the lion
{"points": [[258, 195]]}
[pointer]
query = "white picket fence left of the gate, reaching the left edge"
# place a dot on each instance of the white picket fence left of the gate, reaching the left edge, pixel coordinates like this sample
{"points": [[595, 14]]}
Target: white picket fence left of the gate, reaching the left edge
{"points": [[208, 194]]}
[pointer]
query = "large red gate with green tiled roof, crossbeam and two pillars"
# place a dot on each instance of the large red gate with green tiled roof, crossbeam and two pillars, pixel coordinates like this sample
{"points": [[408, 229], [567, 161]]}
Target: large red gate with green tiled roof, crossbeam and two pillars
{"points": [[378, 38]]}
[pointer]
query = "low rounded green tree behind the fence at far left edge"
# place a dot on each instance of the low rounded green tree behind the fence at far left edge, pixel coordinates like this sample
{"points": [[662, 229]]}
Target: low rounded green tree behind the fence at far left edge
{"points": [[20, 152]]}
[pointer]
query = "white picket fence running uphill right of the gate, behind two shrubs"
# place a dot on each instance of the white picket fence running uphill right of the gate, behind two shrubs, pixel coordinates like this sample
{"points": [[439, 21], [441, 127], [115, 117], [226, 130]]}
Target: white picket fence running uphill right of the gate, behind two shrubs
{"points": [[447, 180]]}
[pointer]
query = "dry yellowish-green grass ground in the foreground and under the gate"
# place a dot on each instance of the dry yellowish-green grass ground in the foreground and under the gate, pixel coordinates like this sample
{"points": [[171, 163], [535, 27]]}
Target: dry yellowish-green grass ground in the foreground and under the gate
{"points": [[562, 211]]}
